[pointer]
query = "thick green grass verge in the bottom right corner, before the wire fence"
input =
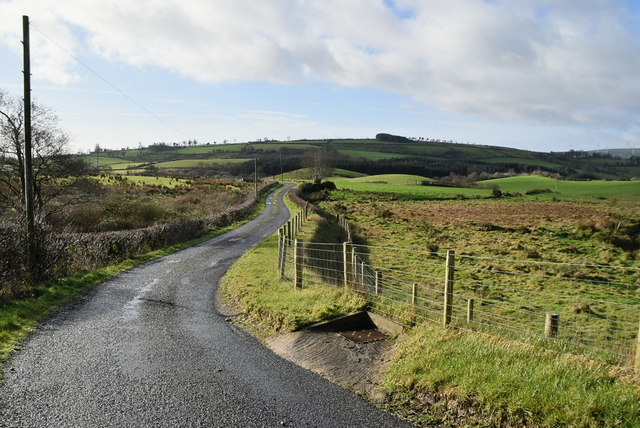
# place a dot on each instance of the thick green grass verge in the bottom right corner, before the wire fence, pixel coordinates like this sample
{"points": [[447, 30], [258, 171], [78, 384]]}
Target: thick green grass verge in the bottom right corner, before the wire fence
{"points": [[447, 377]]}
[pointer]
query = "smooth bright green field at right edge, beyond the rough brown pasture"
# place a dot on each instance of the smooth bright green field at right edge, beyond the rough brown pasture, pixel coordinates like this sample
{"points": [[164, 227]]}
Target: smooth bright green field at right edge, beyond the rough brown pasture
{"points": [[562, 189]]}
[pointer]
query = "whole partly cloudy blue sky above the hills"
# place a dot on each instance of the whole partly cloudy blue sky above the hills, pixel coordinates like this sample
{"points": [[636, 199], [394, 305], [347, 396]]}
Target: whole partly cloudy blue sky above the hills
{"points": [[543, 75]]}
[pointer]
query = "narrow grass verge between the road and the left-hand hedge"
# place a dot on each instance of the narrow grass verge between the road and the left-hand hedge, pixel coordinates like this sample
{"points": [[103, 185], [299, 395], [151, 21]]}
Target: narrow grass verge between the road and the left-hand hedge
{"points": [[19, 317]]}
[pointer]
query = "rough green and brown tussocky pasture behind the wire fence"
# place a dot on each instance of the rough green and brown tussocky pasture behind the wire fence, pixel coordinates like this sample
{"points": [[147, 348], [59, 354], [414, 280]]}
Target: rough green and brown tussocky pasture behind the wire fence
{"points": [[508, 256]]}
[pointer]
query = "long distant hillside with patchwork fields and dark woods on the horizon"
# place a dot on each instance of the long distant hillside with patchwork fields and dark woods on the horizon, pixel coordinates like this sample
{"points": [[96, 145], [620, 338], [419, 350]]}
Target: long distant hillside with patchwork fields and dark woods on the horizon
{"points": [[432, 159]]}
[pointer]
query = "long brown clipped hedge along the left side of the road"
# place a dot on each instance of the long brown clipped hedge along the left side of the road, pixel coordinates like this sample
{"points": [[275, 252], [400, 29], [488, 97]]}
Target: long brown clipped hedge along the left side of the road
{"points": [[61, 254]]}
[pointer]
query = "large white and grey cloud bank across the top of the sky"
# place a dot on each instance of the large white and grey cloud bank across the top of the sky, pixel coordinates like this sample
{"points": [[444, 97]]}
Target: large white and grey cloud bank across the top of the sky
{"points": [[560, 61]]}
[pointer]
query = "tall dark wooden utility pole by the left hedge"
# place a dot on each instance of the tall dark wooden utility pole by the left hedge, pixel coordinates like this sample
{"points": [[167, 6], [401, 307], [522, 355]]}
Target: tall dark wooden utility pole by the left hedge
{"points": [[28, 167]]}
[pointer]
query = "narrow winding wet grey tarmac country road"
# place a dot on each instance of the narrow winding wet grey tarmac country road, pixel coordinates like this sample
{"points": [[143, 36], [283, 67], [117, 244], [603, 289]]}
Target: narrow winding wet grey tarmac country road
{"points": [[149, 349]]}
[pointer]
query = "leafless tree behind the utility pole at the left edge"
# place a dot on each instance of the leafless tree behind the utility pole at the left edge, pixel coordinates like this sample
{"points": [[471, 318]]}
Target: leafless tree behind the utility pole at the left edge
{"points": [[50, 161]]}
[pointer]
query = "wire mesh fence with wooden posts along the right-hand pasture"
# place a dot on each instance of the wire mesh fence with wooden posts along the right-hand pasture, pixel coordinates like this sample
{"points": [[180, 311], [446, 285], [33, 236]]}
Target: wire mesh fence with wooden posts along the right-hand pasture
{"points": [[590, 310]]}
